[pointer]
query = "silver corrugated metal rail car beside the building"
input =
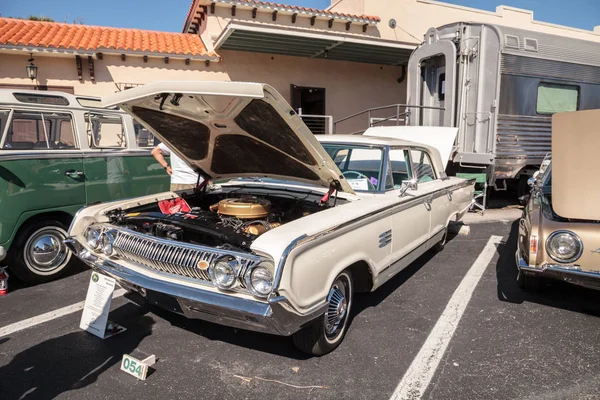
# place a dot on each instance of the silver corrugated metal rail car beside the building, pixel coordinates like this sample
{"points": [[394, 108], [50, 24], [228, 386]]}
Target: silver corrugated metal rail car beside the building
{"points": [[500, 86]]}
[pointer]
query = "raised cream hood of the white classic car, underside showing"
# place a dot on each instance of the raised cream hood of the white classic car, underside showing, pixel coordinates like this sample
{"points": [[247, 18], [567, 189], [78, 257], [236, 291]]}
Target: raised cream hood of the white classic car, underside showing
{"points": [[231, 130]]}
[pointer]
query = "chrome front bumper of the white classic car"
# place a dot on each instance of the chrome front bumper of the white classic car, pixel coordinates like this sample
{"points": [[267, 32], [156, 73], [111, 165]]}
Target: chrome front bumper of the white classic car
{"points": [[275, 316]]}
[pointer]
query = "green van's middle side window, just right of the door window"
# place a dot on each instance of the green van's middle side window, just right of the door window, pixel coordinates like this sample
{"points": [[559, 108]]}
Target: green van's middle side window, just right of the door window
{"points": [[105, 131]]}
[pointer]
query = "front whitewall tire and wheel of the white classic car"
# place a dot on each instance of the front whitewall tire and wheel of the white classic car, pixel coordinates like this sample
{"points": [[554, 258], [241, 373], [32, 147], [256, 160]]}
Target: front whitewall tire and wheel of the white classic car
{"points": [[327, 332]]}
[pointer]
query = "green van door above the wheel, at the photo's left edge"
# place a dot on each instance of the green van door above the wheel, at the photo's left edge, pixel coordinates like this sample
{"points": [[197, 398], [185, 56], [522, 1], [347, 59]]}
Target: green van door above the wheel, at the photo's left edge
{"points": [[40, 168]]}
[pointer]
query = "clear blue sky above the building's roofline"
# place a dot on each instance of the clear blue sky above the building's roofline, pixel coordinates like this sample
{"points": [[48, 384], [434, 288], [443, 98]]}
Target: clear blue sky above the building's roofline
{"points": [[169, 15]]}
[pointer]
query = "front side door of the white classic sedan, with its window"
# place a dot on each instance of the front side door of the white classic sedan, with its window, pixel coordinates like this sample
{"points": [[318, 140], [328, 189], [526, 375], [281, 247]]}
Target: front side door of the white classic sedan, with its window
{"points": [[411, 217]]}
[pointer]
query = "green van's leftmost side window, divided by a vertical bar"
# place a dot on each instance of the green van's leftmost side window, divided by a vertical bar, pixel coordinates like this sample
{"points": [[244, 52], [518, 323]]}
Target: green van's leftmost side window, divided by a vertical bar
{"points": [[30, 130]]}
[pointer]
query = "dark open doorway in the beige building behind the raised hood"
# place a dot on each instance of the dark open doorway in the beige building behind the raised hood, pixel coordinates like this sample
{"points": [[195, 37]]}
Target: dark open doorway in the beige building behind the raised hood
{"points": [[310, 101]]}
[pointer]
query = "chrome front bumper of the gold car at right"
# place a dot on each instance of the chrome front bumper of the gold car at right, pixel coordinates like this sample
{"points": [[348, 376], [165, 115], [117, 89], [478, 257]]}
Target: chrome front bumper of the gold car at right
{"points": [[567, 273]]}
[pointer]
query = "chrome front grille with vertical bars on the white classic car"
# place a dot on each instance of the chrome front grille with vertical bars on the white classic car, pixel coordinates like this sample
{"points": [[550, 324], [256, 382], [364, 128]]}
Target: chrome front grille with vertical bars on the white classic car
{"points": [[170, 257]]}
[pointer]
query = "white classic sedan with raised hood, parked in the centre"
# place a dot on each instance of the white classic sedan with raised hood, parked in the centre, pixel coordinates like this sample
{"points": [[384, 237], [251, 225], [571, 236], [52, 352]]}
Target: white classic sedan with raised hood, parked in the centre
{"points": [[293, 227]]}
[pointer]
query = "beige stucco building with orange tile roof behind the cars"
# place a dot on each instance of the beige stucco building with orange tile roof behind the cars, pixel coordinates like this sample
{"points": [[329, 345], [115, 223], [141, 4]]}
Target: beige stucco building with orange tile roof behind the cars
{"points": [[335, 62]]}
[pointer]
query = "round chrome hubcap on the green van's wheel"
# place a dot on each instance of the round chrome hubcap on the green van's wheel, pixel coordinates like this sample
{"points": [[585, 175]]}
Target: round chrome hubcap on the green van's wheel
{"points": [[45, 250]]}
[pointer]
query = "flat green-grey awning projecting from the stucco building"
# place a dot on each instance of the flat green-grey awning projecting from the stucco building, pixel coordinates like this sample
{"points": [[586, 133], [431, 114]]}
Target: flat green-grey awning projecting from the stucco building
{"points": [[302, 43]]}
